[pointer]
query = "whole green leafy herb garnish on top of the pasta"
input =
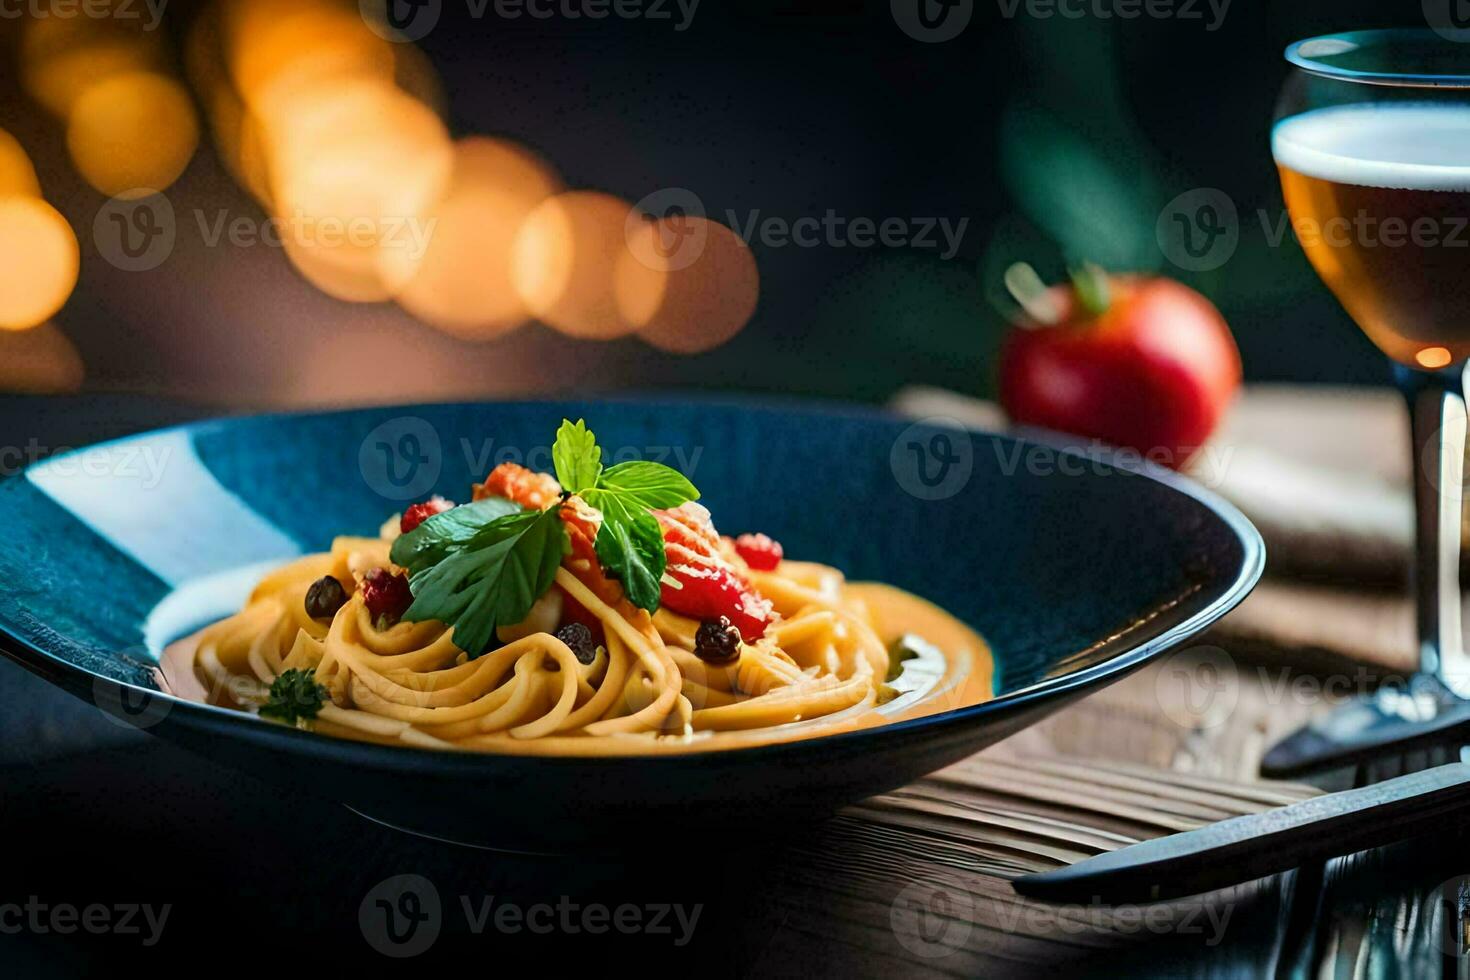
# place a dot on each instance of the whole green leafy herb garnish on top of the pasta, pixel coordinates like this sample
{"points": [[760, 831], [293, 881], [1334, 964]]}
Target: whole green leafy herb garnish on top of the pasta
{"points": [[484, 565]]}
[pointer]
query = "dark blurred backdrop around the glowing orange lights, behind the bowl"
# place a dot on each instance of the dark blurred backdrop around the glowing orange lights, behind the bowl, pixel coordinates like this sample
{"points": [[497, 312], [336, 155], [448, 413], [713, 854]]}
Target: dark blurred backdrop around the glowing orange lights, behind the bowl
{"points": [[1050, 137]]}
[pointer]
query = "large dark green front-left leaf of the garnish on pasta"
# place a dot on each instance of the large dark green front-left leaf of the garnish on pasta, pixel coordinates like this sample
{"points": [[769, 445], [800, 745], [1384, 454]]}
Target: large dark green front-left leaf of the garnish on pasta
{"points": [[495, 580]]}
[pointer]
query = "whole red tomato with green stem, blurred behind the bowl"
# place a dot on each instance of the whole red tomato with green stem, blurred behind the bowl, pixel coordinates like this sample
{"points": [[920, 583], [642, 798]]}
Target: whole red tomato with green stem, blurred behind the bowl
{"points": [[1152, 367]]}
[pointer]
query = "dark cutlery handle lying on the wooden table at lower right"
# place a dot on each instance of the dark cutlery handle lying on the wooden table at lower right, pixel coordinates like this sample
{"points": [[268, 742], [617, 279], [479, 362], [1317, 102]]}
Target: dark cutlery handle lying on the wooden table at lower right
{"points": [[1247, 849]]}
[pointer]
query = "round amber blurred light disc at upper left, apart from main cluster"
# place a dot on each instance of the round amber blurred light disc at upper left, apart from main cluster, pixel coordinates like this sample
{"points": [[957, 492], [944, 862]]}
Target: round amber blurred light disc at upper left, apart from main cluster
{"points": [[133, 133]]}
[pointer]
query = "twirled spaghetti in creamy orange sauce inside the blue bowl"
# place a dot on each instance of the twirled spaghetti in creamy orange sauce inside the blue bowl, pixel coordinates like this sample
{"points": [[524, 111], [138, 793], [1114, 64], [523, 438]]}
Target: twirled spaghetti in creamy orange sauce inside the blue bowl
{"points": [[649, 684]]}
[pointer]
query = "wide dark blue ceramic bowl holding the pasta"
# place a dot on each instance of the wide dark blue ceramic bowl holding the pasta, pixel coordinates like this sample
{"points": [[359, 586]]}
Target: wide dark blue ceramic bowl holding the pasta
{"points": [[1078, 569]]}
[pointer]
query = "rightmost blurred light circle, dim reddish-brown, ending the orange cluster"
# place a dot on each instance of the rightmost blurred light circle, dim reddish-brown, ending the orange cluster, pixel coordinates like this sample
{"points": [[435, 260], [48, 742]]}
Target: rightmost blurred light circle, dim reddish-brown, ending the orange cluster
{"points": [[687, 302]]}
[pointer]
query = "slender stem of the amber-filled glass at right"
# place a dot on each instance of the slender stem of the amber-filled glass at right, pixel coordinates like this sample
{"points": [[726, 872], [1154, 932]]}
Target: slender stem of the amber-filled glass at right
{"points": [[1437, 409]]}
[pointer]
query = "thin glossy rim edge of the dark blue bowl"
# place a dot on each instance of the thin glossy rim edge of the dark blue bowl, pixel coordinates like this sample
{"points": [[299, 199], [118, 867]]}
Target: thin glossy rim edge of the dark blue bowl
{"points": [[80, 682]]}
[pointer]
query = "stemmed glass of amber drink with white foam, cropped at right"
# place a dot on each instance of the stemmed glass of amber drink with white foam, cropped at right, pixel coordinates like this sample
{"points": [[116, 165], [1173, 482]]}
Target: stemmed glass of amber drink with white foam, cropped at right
{"points": [[1372, 142]]}
